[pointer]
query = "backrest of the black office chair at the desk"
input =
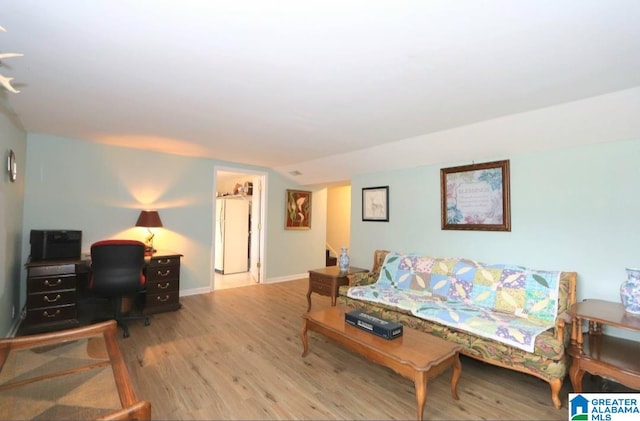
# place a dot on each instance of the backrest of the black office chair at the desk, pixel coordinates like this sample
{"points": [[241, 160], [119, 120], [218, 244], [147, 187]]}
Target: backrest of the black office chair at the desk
{"points": [[116, 267]]}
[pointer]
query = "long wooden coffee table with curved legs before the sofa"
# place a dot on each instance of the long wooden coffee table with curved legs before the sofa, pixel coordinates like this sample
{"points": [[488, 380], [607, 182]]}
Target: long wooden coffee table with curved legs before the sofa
{"points": [[415, 355]]}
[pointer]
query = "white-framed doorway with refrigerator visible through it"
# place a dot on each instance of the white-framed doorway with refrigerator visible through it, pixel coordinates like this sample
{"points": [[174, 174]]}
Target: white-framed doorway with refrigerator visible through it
{"points": [[239, 223]]}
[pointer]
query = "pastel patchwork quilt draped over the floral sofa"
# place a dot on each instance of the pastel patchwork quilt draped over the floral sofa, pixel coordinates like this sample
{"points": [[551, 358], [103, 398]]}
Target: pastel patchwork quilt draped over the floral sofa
{"points": [[507, 303]]}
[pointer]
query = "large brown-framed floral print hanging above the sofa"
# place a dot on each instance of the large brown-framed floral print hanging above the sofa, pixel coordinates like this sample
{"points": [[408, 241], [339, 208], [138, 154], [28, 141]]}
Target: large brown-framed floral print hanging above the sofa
{"points": [[476, 197]]}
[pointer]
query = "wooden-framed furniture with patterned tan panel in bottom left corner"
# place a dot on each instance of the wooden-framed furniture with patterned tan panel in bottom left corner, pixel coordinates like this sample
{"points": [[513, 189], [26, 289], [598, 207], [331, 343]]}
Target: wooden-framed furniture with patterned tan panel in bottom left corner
{"points": [[71, 374]]}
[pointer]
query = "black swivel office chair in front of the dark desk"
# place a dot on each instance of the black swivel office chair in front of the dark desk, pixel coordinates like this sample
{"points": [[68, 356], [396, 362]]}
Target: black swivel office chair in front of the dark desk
{"points": [[117, 272]]}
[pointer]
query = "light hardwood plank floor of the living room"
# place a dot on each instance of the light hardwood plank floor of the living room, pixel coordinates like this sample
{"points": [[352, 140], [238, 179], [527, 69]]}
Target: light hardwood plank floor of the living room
{"points": [[236, 354]]}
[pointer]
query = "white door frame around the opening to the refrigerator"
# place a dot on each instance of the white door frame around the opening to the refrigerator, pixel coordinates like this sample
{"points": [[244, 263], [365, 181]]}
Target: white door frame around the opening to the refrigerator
{"points": [[259, 192]]}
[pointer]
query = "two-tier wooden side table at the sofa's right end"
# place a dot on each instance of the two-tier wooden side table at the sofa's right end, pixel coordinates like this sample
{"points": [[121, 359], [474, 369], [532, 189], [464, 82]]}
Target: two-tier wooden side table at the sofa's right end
{"points": [[603, 355]]}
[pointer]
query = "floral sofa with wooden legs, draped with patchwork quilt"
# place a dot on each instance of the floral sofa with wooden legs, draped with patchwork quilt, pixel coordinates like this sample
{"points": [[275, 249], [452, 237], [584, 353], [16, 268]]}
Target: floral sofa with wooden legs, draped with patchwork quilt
{"points": [[506, 315]]}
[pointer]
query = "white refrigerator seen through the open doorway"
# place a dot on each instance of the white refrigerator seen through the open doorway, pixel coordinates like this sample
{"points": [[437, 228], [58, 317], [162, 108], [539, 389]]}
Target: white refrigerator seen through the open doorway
{"points": [[232, 235]]}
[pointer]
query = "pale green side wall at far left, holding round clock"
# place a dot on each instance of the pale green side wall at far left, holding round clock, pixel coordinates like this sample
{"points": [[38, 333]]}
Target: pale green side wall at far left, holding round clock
{"points": [[12, 137]]}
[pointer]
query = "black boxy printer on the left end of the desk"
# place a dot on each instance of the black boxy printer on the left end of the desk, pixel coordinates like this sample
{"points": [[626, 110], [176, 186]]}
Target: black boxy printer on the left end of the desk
{"points": [[55, 244]]}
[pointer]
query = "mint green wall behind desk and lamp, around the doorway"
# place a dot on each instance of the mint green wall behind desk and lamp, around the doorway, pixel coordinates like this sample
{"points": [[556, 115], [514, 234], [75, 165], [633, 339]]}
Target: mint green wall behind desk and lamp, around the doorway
{"points": [[100, 190]]}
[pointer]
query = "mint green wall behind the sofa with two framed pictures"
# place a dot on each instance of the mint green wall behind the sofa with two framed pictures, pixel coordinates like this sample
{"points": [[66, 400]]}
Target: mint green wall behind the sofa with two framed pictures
{"points": [[574, 209]]}
